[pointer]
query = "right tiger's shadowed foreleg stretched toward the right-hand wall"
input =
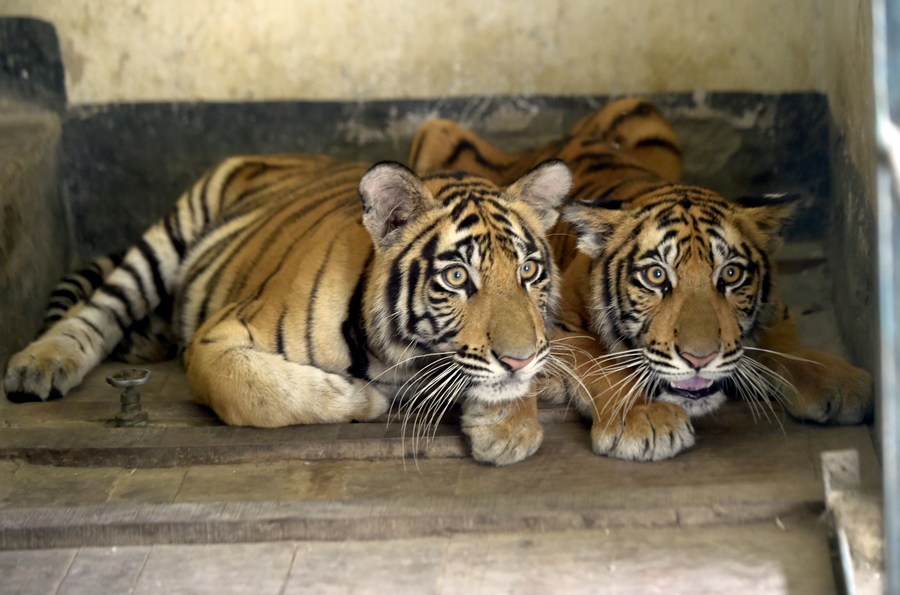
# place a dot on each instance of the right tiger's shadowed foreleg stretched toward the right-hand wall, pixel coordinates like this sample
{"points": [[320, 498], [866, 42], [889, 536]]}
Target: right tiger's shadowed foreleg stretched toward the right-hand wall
{"points": [[812, 384]]}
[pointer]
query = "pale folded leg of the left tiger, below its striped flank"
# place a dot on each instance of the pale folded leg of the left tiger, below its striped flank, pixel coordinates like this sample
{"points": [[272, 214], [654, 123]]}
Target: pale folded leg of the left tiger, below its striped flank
{"points": [[247, 386]]}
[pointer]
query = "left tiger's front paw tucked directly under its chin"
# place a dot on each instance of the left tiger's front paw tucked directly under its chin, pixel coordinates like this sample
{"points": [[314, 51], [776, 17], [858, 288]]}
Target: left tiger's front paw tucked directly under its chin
{"points": [[502, 433]]}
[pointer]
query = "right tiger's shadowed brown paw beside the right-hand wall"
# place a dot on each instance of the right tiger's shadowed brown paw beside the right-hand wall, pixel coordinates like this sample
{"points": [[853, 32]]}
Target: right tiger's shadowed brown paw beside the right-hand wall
{"points": [[834, 392]]}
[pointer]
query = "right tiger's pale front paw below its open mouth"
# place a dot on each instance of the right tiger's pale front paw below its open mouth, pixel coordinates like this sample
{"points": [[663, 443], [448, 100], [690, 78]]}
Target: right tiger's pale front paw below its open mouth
{"points": [[648, 432]]}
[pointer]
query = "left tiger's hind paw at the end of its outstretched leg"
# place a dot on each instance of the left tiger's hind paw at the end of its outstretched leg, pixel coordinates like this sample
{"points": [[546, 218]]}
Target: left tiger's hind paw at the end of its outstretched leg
{"points": [[45, 370]]}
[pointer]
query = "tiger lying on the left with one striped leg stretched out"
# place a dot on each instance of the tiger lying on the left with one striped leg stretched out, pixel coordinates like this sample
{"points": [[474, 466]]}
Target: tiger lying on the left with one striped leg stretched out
{"points": [[310, 290]]}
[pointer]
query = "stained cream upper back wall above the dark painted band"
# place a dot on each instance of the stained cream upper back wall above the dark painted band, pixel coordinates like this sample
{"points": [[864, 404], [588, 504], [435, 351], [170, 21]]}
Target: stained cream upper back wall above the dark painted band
{"points": [[186, 50]]}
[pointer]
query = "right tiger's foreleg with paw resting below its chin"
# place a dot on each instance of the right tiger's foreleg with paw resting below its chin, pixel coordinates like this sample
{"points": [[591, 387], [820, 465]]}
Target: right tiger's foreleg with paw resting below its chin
{"points": [[625, 424]]}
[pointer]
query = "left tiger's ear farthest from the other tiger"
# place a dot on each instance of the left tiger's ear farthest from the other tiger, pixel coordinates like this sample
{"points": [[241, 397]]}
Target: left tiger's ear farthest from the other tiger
{"points": [[391, 195]]}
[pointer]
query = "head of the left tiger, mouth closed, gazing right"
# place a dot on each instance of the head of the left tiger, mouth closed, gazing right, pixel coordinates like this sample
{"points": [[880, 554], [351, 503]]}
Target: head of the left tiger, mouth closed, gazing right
{"points": [[464, 284]]}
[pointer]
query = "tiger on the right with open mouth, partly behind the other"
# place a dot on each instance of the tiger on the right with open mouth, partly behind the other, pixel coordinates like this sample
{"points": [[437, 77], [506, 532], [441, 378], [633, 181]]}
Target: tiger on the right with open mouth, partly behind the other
{"points": [[669, 295]]}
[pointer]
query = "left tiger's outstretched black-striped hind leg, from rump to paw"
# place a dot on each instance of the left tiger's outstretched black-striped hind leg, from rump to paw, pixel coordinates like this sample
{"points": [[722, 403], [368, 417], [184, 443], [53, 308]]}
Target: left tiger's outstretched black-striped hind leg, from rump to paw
{"points": [[148, 275]]}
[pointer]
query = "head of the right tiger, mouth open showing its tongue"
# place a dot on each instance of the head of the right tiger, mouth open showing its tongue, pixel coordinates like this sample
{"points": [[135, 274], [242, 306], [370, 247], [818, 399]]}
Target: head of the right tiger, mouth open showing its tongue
{"points": [[681, 283]]}
